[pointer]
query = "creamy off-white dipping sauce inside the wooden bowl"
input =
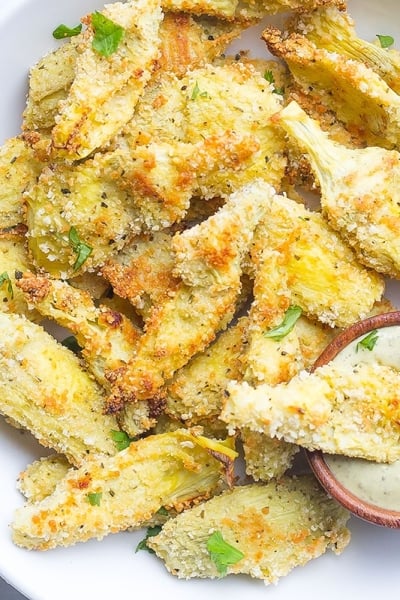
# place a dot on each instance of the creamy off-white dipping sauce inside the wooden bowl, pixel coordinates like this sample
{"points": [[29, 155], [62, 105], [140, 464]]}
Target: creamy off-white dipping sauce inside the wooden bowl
{"points": [[376, 483]]}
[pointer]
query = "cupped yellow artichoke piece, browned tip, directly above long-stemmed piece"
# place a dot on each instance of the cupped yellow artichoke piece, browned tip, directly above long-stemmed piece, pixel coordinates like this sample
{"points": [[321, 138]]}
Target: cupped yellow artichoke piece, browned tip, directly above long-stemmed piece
{"points": [[359, 97]]}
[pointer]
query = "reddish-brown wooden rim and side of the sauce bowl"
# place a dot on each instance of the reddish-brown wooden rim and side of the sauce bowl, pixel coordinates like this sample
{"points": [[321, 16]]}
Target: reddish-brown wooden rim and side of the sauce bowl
{"points": [[369, 512]]}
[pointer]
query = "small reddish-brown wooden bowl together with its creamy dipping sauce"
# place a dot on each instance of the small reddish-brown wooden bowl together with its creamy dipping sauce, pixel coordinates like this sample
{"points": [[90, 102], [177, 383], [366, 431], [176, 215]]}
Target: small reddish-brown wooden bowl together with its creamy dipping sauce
{"points": [[357, 484]]}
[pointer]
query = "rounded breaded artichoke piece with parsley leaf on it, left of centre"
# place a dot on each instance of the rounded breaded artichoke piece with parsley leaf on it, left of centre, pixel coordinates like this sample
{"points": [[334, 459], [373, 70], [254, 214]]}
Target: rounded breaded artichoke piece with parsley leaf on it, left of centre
{"points": [[77, 199]]}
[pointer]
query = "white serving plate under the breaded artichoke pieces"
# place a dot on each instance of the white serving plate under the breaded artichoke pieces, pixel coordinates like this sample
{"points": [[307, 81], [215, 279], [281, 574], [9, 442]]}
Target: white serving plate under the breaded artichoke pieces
{"points": [[367, 569]]}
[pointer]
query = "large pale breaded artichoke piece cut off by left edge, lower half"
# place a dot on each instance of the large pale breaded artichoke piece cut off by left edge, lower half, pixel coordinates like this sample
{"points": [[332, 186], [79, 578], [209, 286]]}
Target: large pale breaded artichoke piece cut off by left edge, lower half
{"points": [[45, 390]]}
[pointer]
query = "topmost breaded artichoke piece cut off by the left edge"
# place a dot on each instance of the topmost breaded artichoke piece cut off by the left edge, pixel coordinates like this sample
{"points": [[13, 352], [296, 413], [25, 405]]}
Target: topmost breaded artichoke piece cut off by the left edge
{"points": [[19, 169]]}
